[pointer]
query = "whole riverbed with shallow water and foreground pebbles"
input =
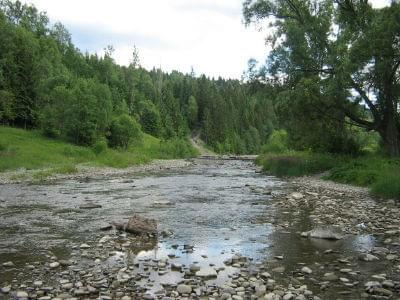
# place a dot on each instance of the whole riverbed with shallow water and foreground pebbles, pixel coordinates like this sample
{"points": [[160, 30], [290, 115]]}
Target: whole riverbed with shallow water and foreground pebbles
{"points": [[208, 213]]}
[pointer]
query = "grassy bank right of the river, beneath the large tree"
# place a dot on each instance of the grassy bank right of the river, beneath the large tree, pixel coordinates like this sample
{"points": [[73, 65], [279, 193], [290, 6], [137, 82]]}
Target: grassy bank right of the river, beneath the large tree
{"points": [[380, 174]]}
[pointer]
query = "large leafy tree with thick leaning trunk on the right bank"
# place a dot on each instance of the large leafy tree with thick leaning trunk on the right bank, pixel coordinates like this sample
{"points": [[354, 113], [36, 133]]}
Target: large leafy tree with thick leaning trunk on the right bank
{"points": [[348, 48]]}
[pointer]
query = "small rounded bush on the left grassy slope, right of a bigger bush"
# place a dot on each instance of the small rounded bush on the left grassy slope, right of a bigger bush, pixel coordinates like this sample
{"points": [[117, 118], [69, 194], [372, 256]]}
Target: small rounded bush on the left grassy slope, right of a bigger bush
{"points": [[123, 131]]}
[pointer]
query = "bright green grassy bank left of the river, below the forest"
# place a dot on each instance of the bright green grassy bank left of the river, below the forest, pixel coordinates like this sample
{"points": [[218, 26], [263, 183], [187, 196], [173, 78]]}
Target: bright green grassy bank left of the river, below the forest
{"points": [[30, 150]]}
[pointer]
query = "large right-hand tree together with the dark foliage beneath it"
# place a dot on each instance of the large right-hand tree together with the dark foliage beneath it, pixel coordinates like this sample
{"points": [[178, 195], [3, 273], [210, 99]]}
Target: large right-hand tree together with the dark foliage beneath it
{"points": [[340, 63]]}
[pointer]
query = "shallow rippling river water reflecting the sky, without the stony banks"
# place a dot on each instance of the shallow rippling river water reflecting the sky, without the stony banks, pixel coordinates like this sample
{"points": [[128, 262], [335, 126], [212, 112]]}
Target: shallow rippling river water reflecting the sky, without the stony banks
{"points": [[218, 207]]}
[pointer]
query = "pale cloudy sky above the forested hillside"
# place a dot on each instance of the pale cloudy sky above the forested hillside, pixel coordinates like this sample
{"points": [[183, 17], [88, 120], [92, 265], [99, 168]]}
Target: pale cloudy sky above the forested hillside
{"points": [[207, 35]]}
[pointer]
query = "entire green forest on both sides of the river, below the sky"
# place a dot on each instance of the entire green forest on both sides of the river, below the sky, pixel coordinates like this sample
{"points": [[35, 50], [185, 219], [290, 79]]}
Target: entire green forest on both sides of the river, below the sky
{"points": [[327, 92]]}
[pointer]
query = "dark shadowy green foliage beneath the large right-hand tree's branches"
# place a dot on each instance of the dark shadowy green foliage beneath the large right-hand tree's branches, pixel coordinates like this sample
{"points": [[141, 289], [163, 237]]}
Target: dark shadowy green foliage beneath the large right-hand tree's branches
{"points": [[300, 110]]}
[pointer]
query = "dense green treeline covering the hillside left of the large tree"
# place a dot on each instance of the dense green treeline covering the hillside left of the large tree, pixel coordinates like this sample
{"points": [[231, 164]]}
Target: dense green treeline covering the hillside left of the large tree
{"points": [[47, 83]]}
